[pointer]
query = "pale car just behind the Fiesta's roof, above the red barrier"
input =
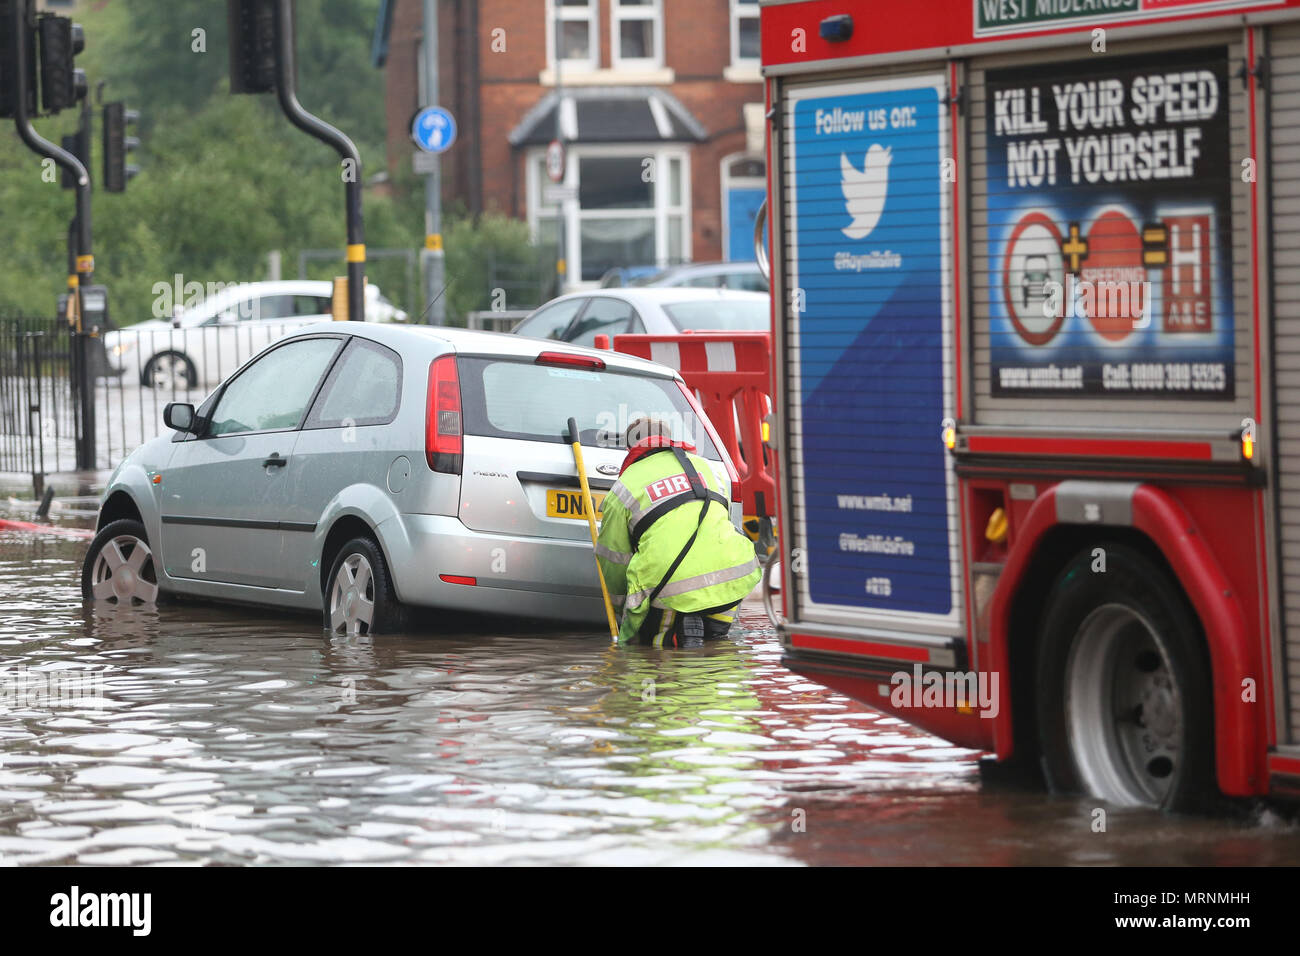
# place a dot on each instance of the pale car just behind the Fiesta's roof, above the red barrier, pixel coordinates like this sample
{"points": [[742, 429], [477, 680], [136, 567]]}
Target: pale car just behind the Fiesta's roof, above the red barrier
{"points": [[579, 318]]}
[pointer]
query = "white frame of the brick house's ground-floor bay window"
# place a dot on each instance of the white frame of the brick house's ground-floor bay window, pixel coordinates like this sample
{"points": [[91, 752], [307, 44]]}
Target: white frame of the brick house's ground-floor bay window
{"points": [[536, 180]]}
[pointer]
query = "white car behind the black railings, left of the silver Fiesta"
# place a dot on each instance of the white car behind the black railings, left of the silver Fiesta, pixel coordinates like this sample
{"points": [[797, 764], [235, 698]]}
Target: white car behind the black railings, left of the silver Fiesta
{"points": [[214, 338]]}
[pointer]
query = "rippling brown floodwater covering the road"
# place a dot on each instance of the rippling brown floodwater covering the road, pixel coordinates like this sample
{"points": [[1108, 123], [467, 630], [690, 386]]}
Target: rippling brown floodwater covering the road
{"points": [[196, 734]]}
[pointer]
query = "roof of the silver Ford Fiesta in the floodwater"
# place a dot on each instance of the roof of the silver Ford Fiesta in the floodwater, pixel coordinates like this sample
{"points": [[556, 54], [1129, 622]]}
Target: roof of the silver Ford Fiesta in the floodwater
{"points": [[486, 344]]}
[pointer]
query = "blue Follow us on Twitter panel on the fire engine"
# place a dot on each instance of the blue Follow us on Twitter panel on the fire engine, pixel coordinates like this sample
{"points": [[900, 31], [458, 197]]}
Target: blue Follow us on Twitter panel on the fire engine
{"points": [[872, 313]]}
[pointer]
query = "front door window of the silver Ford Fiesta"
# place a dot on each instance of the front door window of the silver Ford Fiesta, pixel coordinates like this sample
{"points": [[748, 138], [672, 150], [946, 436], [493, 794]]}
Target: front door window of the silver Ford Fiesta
{"points": [[274, 392]]}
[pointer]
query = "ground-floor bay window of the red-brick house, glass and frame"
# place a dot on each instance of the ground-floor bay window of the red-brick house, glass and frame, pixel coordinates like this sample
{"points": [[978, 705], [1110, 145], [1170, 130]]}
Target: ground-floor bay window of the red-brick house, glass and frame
{"points": [[632, 207]]}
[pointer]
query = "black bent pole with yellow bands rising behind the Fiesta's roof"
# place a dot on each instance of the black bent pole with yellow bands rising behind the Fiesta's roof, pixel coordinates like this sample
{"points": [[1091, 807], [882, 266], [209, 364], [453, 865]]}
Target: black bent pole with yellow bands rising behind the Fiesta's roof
{"points": [[287, 89]]}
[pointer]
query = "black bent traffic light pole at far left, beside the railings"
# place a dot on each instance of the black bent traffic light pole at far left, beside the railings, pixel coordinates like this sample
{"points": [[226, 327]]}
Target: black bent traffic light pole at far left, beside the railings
{"points": [[85, 261]]}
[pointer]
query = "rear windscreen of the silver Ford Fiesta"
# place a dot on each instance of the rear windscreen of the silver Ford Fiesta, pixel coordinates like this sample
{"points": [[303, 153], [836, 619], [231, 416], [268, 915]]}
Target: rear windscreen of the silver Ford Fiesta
{"points": [[522, 400]]}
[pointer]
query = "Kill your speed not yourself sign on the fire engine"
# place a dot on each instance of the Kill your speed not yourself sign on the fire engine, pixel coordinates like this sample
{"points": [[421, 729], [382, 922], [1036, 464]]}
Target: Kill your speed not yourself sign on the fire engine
{"points": [[1110, 228]]}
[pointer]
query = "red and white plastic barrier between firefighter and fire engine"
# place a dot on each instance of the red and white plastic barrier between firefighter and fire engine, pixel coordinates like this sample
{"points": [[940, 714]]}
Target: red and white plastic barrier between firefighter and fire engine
{"points": [[733, 375]]}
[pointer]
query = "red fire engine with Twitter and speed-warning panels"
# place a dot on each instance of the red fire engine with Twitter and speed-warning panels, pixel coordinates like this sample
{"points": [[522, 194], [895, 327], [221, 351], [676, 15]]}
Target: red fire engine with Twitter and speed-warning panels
{"points": [[1037, 378]]}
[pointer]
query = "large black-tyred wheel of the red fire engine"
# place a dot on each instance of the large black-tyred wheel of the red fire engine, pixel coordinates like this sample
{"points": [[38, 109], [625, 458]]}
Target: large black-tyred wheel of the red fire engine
{"points": [[1125, 706]]}
